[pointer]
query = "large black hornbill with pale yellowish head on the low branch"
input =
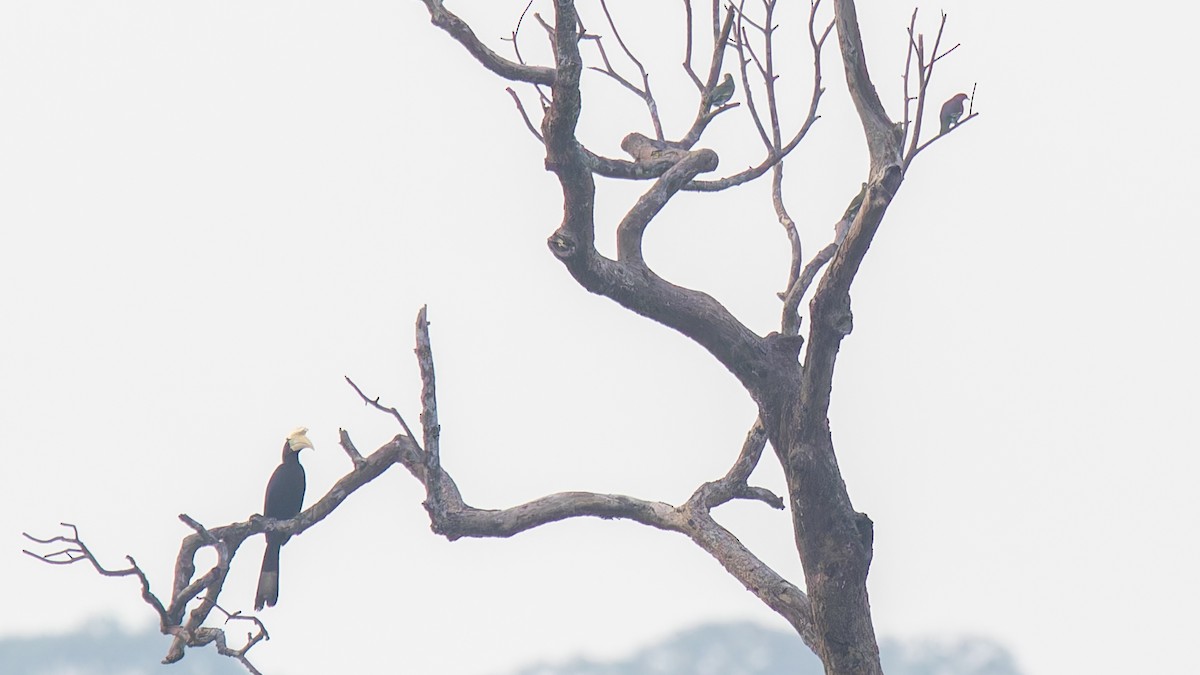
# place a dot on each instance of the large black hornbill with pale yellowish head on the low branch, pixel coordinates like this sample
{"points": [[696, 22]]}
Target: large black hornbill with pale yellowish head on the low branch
{"points": [[285, 497]]}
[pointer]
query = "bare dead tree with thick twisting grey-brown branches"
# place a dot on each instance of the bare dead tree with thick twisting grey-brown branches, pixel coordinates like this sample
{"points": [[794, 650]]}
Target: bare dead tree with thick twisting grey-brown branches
{"points": [[789, 379]]}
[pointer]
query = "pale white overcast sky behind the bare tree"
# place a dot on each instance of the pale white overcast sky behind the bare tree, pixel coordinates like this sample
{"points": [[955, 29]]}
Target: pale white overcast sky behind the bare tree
{"points": [[212, 212]]}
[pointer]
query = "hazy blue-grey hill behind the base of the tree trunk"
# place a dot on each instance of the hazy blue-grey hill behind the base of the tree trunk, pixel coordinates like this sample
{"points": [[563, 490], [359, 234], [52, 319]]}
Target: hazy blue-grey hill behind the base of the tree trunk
{"points": [[748, 649]]}
